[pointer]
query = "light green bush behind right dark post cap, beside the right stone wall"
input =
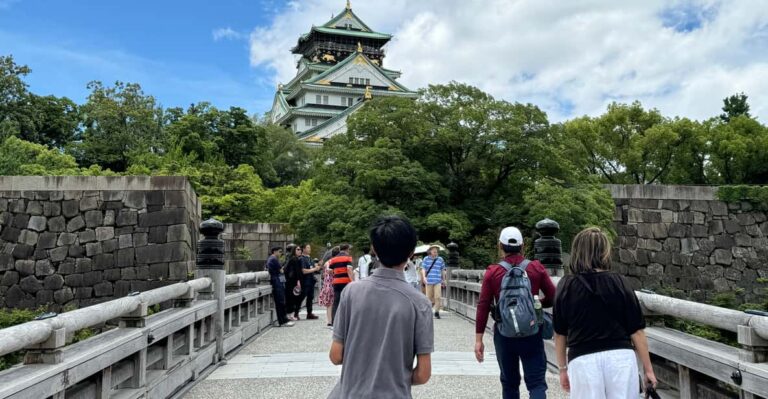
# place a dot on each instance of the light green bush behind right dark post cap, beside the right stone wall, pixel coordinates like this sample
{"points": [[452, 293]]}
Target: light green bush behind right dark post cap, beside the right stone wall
{"points": [[574, 208]]}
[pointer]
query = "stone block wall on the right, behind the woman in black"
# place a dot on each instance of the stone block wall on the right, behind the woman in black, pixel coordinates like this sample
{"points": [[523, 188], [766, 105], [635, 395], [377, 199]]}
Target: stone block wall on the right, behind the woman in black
{"points": [[682, 237]]}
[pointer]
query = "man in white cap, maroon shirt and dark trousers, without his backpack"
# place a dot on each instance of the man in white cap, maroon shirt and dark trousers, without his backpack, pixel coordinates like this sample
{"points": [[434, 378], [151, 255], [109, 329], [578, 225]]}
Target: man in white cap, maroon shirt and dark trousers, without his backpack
{"points": [[511, 351]]}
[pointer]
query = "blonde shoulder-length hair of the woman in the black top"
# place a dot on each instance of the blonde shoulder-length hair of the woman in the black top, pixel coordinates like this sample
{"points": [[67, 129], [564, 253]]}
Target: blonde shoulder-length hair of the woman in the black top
{"points": [[590, 250]]}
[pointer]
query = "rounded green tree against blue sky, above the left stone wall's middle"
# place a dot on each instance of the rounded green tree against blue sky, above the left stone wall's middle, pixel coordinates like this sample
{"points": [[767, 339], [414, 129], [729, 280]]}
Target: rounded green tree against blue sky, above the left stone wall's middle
{"points": [[121, 122]]}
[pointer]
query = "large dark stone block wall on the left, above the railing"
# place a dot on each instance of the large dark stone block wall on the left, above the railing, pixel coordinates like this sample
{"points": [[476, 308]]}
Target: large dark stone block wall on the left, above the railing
{"points": [[76, 241]]}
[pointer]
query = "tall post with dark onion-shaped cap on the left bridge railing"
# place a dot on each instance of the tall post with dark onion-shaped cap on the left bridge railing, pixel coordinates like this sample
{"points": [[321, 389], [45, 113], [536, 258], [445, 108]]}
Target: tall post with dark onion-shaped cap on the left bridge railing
{"points": [[210, 263]]}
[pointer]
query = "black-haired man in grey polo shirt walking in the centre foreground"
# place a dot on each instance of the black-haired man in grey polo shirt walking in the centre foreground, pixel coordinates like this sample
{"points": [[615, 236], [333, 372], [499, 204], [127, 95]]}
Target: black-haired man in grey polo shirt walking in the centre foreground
{"points": [[382, 323]]}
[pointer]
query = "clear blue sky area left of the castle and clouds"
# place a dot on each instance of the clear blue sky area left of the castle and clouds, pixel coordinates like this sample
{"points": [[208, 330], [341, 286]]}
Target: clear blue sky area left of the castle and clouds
{"points": [[166, 46]]}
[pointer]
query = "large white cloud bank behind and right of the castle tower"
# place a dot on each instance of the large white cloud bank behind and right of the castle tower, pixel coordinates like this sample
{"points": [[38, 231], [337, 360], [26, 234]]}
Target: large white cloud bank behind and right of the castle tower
{"points": [[570, 58]]}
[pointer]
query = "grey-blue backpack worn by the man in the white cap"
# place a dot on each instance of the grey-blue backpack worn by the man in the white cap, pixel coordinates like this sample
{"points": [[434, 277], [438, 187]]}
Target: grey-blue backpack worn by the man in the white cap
{"points": [[516, 313]]}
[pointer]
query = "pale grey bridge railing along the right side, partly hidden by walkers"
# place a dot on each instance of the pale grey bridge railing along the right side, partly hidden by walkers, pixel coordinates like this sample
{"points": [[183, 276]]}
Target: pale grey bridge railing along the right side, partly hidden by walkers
{"points": [[694, 367]]}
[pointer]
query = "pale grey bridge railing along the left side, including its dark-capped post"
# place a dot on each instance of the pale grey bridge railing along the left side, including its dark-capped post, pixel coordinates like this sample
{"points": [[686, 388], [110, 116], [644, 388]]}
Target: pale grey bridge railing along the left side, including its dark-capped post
{"points": [[156, 355]]}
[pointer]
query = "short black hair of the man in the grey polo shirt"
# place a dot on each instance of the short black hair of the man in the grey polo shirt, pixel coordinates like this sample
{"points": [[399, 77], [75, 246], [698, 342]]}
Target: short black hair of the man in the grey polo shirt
{"points": [[394, 239]]}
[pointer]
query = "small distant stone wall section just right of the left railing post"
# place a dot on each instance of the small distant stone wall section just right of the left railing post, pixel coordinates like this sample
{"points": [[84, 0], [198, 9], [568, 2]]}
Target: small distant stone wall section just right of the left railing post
{"points": [[255, 239]]}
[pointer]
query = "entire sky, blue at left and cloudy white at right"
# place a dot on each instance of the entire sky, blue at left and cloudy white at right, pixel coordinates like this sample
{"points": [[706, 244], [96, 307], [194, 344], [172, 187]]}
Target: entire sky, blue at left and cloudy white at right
{"points": [[569, 57]]}
